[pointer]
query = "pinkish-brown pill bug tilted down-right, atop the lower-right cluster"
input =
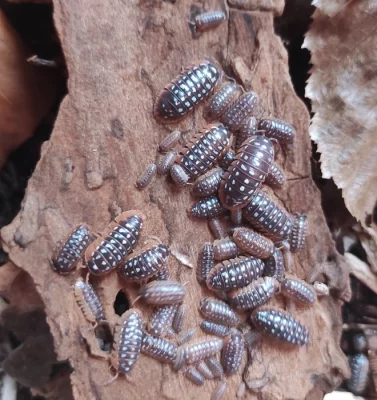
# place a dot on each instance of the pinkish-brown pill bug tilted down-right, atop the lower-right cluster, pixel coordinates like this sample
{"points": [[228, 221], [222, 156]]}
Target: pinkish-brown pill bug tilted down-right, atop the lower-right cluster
{"points": [[253, 243]]}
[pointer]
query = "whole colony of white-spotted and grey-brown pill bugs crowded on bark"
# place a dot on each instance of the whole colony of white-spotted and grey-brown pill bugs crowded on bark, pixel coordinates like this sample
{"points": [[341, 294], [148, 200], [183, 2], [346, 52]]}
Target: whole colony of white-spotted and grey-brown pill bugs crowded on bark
{"points": [[226, 165]]}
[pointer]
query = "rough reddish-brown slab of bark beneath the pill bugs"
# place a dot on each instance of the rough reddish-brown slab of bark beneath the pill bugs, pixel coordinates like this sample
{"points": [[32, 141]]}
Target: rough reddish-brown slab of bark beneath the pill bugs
{"points": [[119, 55]]}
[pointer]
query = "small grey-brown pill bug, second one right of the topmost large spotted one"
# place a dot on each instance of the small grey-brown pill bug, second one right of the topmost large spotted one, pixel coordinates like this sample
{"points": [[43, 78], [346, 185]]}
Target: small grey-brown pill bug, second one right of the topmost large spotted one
{"points": [[241, 109]]}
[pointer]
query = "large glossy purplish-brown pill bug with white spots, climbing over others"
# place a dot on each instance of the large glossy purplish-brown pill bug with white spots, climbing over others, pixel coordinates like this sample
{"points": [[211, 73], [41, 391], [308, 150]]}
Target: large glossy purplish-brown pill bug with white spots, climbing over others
{"points": [[247, 172]]}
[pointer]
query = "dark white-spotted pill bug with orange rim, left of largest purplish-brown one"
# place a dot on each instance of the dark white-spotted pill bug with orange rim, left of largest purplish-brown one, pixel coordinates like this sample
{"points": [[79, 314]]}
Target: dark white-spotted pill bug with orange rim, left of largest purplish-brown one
{"points": [[203, 150]]}
